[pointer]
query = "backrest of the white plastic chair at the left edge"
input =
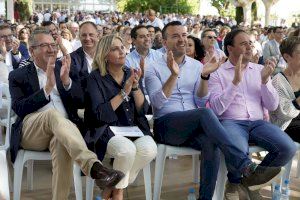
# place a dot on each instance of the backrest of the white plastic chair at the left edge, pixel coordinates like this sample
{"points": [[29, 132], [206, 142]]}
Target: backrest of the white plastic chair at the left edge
{"points": [[7, 121]]}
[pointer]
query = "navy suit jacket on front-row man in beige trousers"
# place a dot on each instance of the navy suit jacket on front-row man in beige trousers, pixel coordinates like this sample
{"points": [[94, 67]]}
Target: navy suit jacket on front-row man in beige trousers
{"points": [[27, 97]]}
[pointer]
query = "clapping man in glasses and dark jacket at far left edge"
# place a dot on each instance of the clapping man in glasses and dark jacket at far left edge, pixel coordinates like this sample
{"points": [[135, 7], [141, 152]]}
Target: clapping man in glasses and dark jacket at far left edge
{"points": [[10, 48]]}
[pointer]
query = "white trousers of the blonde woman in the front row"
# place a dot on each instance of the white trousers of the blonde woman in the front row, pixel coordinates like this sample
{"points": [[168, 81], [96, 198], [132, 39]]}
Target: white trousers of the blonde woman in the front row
{"points": [[131, 156]]}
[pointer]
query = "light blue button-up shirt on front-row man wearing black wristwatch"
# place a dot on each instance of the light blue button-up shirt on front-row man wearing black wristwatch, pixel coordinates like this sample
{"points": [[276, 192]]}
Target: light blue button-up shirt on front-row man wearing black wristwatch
{"points": [[184, 95]]}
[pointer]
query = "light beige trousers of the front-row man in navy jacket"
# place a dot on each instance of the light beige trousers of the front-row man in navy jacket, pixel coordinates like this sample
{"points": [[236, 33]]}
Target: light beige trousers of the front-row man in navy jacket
{"points": [[50, 130]]}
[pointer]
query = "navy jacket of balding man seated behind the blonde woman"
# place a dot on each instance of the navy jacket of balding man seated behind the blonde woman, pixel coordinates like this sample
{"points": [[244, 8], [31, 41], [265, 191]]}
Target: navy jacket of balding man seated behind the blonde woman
{"points": [[79, 61]]}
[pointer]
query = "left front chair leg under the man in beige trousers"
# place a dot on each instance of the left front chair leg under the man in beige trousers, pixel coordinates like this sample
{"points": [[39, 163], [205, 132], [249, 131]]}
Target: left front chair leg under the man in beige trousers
{"points": [[18, 173]]}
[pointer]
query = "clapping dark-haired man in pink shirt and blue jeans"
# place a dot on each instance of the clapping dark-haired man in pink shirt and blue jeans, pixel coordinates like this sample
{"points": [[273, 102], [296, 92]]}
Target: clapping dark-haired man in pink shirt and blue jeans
{"points": [[240, 91]]}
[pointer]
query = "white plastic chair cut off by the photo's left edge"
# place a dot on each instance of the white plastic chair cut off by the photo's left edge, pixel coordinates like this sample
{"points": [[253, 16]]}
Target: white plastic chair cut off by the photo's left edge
{"points": [[5, 122]]}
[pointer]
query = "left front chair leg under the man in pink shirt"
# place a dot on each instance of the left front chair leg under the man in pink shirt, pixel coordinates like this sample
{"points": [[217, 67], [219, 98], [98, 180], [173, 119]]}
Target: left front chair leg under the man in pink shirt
{"points": [[222, 176]]}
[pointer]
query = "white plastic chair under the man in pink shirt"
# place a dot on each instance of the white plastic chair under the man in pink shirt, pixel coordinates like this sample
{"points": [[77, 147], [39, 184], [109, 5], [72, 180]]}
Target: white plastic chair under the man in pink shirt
{"points": [[222, 174]]}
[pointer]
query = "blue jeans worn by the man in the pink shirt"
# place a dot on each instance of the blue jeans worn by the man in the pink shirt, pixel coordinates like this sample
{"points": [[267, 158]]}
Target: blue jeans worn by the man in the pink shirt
{"points": [[280, 146]]}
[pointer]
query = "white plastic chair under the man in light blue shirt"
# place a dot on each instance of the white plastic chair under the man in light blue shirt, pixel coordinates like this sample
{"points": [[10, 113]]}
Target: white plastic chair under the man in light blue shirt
{"points": [[165, 150]]}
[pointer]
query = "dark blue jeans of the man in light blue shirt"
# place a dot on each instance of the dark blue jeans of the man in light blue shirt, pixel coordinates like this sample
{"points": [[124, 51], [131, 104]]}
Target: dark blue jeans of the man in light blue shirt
{"points": [[200, 129]]}
